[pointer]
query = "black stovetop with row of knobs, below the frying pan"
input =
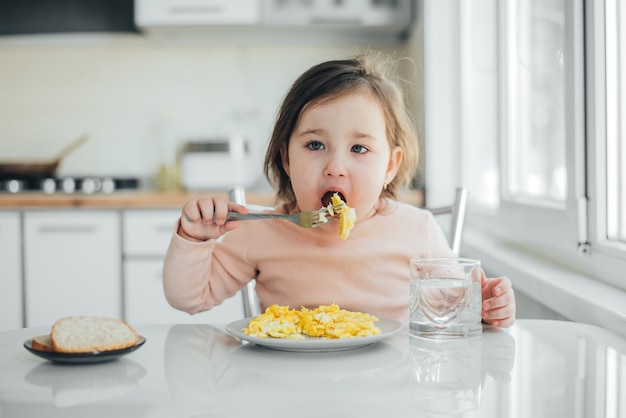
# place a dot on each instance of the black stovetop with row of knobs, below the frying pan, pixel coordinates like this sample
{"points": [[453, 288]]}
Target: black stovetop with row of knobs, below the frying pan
{"points": [[67, 184]]}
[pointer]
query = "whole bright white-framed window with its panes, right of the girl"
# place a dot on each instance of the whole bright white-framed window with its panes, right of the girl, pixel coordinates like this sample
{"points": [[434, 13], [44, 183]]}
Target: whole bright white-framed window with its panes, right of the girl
{"points": [[549, 174]]}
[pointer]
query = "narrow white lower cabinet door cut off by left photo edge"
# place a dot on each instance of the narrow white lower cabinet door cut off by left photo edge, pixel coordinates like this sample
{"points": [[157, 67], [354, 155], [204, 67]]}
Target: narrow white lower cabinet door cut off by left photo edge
{"points": [[11, 313]]}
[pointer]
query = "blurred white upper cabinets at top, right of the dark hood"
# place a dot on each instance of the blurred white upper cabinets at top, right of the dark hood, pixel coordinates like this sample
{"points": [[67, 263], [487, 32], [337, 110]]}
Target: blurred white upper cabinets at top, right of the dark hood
{"points": [[274, 19]]}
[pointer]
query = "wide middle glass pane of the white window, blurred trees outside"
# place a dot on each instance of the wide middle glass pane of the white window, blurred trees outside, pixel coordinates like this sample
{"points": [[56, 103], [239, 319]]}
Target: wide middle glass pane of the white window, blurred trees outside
{"points": [[534, 80]]}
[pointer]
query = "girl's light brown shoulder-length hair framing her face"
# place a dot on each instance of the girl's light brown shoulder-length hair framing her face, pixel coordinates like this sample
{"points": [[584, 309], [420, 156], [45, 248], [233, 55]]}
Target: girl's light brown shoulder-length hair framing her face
{"points": [[370, 72]]}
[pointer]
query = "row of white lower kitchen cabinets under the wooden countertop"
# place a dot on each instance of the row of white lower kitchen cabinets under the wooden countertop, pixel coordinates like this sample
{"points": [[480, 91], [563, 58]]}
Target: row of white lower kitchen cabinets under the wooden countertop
{"points": [[91, 262]]}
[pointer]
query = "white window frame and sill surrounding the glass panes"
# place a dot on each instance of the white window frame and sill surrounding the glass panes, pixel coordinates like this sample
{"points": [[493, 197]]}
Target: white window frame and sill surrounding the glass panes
{"points": [[573, 236]]}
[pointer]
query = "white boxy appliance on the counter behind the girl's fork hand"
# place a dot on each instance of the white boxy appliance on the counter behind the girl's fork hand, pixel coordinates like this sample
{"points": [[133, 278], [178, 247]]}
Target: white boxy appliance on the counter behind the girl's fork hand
{"points": [[217, 164]]}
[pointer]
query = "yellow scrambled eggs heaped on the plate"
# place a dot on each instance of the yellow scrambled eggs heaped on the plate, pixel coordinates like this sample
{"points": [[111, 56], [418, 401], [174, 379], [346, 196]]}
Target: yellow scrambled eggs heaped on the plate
{"points": [[325, 321]]}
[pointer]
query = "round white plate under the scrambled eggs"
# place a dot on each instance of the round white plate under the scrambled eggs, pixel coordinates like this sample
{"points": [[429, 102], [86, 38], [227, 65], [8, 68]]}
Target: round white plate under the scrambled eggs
{"points": [[388, 327]]}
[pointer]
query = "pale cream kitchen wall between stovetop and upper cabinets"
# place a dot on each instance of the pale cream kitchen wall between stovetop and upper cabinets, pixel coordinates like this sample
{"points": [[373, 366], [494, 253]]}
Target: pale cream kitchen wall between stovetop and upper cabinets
{"points": [[127, 92]]}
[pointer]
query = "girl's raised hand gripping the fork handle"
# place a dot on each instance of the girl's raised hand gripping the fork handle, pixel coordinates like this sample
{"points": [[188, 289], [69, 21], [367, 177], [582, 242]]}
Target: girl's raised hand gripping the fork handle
{"points": [[196, 221]]}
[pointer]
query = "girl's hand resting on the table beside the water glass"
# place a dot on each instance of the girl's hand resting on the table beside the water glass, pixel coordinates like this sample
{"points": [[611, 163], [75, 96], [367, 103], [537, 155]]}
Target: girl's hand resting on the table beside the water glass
{"points": [[498, 301]]}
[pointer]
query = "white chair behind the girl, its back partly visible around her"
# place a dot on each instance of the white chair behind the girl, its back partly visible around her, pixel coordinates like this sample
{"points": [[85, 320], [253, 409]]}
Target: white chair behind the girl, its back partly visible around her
{"points": [[251, 303]]}
